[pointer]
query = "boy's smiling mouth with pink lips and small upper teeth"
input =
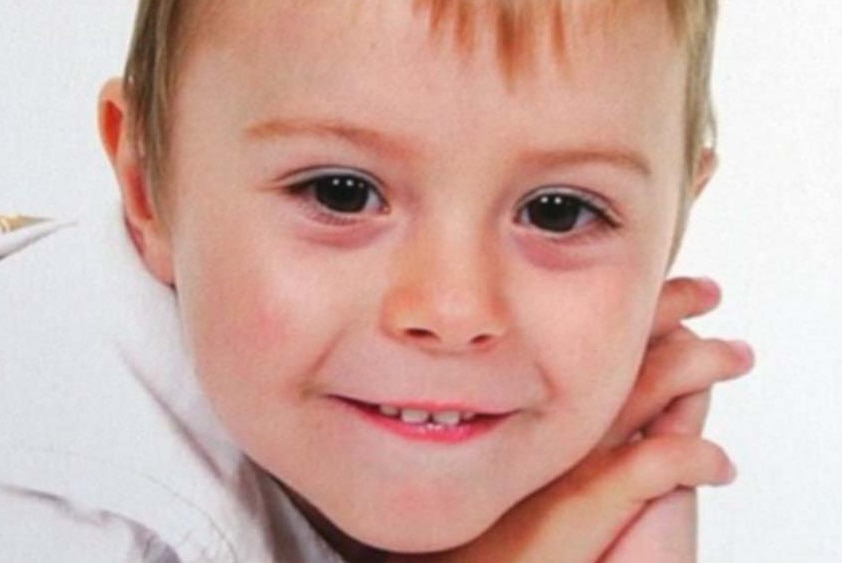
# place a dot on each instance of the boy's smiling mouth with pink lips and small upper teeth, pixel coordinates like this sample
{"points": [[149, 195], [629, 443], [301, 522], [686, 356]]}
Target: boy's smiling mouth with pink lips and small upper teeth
{"points": [[441, 424]]}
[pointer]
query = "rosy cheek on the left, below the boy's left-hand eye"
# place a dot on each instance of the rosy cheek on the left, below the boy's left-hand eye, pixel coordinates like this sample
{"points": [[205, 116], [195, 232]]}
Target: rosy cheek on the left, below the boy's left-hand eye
{"points": [[261, 313]]}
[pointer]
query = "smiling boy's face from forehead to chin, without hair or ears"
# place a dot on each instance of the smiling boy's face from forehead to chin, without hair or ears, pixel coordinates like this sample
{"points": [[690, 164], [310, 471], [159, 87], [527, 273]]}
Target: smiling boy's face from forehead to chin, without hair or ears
{"points": [[366, 223]]}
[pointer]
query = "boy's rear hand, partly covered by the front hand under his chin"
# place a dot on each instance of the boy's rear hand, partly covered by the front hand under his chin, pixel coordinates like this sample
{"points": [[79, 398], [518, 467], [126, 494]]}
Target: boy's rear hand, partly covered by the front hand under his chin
{"points": [[665, 530]]}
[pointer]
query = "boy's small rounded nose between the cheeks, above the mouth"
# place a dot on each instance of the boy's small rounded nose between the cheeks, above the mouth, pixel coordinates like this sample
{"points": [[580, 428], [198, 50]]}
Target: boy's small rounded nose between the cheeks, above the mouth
{"points": [[446, 297]]}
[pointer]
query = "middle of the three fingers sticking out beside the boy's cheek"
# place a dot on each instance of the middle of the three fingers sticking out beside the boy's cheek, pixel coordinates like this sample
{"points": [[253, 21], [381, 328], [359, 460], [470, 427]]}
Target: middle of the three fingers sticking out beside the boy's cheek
{"points": [[675, 368]]}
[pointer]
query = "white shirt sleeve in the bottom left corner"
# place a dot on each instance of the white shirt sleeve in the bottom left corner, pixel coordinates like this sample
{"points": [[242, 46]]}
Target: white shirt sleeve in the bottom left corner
{"points": [[40, 528]]}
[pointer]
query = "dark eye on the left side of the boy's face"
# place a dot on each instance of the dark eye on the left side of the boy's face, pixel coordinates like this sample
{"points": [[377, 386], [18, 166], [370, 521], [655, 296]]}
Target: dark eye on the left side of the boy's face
{"points": [[339, 193]]}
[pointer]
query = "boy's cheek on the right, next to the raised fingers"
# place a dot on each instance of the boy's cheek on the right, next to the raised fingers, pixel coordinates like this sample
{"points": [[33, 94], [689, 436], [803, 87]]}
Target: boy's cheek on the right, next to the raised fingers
{"points": [[589, 335]]}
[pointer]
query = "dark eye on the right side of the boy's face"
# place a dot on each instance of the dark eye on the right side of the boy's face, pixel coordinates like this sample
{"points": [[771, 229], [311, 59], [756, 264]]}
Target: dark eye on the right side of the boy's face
{"points": [[561, 210]]}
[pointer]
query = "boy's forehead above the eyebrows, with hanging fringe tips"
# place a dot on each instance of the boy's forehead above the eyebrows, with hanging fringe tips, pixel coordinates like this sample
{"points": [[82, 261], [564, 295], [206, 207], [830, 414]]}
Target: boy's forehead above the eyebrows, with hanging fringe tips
{"points": [[393, 65]]}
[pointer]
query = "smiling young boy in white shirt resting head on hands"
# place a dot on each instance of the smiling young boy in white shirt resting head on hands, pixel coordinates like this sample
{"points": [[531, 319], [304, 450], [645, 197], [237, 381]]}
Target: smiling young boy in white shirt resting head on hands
{"points": [[413, 253]]}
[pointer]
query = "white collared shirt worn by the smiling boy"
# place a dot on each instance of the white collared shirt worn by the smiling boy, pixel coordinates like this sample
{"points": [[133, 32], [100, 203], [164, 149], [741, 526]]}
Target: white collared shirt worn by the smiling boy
{"points": [[108, 449]]}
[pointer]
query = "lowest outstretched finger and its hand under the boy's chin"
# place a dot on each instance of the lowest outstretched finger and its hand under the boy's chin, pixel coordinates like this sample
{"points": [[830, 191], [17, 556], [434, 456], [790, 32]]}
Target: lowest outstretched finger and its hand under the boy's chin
{"points": [[577, 518]]}
